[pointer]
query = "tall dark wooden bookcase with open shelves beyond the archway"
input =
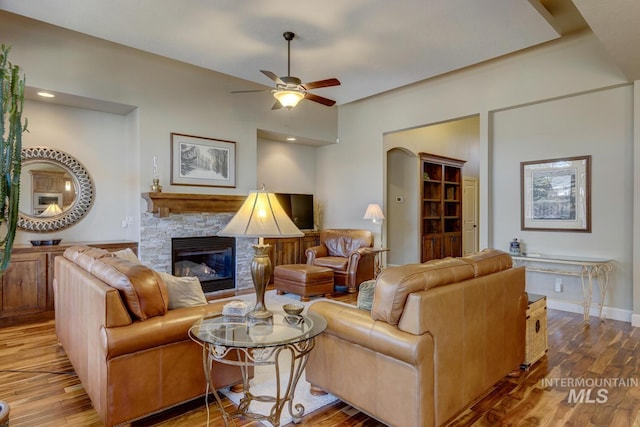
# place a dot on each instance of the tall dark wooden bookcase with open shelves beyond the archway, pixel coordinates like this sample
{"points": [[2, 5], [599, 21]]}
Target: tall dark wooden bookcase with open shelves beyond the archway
{"points": [[441, 206]]}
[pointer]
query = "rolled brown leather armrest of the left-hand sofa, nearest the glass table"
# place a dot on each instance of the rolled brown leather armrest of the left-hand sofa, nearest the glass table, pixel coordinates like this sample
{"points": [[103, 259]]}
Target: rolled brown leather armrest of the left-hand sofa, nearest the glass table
{"points": [[154, 332]]}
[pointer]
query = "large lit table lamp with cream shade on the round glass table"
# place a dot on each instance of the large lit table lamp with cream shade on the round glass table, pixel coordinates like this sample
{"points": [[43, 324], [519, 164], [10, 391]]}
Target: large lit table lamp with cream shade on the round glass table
{"points": [[261, 216]]}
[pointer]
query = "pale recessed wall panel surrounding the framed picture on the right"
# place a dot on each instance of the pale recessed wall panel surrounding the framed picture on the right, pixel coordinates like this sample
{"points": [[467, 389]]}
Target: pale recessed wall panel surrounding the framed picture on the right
{"points": [[568, 127]]}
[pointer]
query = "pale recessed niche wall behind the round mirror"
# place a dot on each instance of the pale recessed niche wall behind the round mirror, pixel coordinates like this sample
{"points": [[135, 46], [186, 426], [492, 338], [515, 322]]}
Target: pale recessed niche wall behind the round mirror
{"points": [[97, 140]]}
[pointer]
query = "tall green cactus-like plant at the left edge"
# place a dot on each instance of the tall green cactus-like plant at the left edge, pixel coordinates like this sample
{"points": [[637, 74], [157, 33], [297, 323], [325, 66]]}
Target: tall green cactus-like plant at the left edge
{"points": [[11, 129]]}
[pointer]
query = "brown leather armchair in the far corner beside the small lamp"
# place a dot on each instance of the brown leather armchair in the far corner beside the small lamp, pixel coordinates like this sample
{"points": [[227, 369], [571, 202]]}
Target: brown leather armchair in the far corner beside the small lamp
{"points": [[347, 253]]}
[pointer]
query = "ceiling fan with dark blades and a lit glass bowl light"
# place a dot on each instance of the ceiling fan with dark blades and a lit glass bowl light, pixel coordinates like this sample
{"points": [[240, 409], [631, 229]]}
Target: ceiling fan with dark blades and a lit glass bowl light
{"points": [[290, 90]]}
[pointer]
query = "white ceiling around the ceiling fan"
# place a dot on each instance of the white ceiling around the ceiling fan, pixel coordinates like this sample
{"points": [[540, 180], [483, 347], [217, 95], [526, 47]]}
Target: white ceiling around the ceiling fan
{"points": [[371, 46]]}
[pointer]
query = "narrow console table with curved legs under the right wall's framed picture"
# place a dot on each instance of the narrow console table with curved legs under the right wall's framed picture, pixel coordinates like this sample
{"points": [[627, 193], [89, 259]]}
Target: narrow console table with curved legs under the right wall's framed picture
{"points": [[589, 269]]}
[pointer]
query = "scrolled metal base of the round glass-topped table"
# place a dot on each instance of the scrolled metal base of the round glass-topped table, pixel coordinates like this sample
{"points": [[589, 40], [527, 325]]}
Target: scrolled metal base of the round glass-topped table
{"points": [[247, 357]]}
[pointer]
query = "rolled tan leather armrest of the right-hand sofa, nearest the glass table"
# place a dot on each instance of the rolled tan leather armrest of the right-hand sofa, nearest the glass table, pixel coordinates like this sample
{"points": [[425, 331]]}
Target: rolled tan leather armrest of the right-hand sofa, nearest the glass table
{"points": [[357, 327]]}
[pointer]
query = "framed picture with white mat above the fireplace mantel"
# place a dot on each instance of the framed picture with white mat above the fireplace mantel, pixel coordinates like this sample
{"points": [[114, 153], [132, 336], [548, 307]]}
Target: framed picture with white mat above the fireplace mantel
{"points": [[200, 161]]}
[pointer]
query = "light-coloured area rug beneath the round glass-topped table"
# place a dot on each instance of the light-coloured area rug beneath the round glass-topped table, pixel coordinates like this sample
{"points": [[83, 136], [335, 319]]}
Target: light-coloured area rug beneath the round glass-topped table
{"points": [[264, 383]]}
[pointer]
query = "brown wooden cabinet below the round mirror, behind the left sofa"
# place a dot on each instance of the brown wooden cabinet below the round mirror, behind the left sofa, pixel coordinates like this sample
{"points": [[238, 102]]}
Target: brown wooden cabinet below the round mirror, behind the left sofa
{"points": [[26, 288]]}
